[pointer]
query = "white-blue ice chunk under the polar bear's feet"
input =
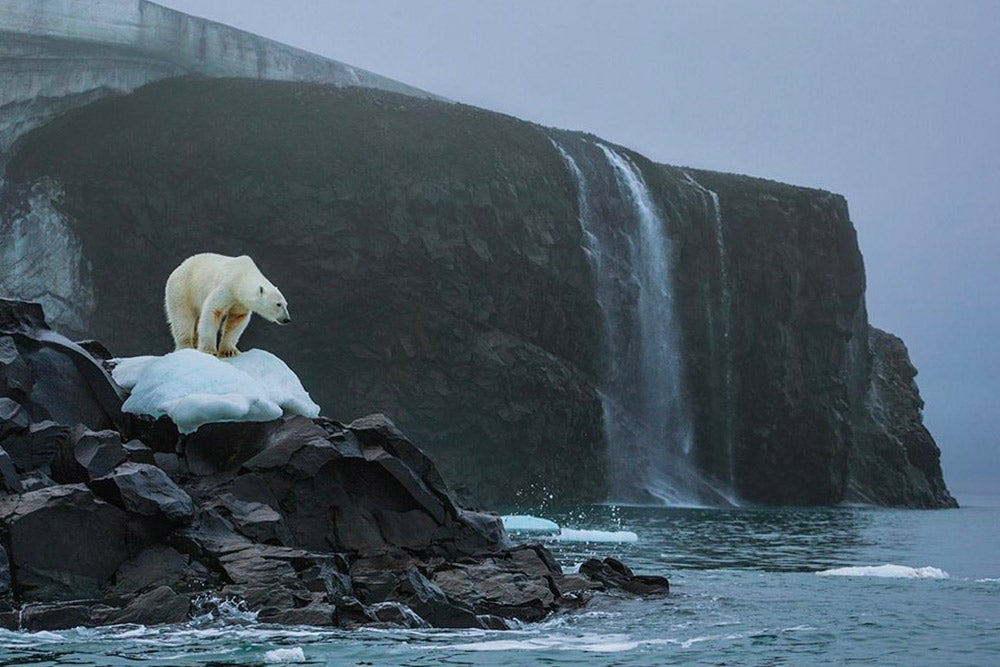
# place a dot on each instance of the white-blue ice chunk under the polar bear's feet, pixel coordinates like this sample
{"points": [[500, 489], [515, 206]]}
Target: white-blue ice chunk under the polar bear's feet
{"points": [[194, 388]]}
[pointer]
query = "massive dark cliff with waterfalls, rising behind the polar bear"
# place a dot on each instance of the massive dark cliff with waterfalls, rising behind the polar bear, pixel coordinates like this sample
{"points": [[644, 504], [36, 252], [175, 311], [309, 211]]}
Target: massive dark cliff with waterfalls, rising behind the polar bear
{"points": [[450, 266]]}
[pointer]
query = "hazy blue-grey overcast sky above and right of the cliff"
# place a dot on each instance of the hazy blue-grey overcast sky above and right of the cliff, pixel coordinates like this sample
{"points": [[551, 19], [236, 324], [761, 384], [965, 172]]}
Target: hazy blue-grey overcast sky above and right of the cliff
{"points": [[895, 105]]}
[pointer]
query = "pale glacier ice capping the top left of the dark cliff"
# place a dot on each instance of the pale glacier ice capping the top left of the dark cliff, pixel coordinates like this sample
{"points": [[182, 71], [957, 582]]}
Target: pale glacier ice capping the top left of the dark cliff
{"points": [[56, 54]]}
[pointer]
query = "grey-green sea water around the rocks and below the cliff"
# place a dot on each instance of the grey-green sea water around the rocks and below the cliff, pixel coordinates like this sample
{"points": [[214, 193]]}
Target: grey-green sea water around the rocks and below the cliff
{"points": [[746, 591]]}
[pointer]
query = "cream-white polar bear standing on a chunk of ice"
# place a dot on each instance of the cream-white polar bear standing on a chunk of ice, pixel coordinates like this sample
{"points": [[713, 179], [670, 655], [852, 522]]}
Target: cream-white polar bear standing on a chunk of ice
{"points": [[208, 291]]}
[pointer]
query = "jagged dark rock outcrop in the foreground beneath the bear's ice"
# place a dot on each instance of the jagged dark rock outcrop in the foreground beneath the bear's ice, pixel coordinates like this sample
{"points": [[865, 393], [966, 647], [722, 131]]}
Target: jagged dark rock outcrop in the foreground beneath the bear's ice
{"points": [[300, 521]]}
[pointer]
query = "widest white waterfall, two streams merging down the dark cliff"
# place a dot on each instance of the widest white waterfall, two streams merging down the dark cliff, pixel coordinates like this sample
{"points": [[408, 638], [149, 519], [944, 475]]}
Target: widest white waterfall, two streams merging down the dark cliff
{"points": [[647, 420]]}
